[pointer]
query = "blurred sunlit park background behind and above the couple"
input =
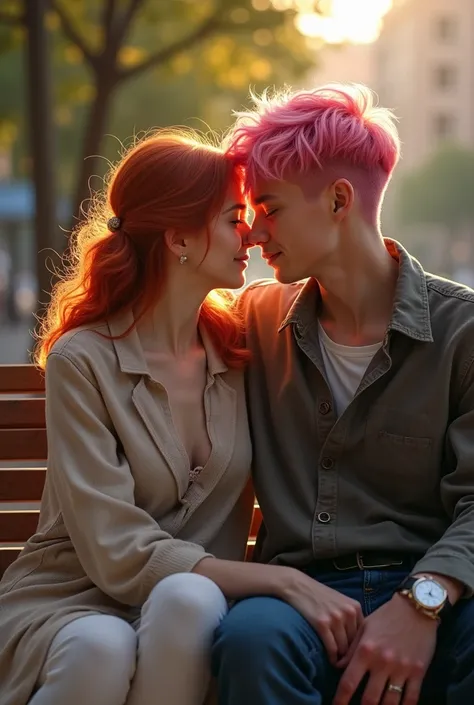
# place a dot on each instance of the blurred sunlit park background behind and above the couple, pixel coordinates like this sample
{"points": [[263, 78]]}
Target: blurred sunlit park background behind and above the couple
{"points": [[188, 62]]}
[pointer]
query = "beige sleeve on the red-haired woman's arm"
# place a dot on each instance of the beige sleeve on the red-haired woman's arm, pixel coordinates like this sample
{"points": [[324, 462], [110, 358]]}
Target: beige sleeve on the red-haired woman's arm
{"points": [[120, 546]]}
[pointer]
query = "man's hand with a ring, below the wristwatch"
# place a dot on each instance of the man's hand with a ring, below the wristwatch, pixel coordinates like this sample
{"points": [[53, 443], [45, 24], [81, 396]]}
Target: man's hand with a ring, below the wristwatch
{"points": [[395, 645]]}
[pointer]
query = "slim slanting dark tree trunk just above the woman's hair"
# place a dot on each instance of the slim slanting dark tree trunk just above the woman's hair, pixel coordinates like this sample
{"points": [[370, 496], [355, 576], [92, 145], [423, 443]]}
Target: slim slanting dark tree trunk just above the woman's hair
{"points": [[94, 132]]}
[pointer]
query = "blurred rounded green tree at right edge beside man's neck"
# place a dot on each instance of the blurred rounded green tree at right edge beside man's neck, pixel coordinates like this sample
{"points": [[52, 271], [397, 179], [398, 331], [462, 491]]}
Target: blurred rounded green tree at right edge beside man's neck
{"points": [[441, 190]]}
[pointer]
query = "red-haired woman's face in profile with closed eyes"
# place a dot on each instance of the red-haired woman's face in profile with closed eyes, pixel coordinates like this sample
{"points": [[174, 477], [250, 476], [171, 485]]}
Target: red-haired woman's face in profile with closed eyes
{"points": [[226, 260]]}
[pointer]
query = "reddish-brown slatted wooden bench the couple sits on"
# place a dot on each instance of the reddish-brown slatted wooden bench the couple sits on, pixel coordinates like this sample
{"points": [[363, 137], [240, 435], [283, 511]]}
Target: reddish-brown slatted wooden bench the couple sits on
{"points": [[23, 452]]}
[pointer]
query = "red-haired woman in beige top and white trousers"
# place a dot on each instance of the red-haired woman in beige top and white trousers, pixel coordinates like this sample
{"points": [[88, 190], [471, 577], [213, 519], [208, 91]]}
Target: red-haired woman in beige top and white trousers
{"points": [[149, 449]]}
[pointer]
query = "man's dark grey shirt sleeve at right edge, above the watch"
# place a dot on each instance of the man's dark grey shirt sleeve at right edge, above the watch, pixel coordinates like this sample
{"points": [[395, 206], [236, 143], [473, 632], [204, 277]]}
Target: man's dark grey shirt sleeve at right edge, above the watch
{"points": [[453, 554]]}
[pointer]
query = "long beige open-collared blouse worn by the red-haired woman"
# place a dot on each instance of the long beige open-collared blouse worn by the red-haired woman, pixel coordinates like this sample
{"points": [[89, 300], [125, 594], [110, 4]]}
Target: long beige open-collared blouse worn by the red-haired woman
{"points": [[118, 512]]}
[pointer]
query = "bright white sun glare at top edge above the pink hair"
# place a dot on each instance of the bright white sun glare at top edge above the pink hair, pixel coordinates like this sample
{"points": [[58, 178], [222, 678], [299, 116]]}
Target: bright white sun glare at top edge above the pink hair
{"points": [[357, 21]]}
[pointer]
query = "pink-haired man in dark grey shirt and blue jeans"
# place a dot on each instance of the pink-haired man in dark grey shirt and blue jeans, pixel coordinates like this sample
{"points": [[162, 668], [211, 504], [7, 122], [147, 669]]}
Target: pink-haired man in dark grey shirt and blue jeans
{"points": [[361, 395]]}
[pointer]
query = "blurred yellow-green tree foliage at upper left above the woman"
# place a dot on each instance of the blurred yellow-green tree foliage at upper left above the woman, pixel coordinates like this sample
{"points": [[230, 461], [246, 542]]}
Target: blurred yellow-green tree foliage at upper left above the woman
{"points": [[162, 61]]}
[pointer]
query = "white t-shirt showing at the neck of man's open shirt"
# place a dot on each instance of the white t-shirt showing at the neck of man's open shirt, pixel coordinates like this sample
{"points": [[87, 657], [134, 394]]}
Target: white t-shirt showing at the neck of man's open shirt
{"points": [[345, 366]]}
